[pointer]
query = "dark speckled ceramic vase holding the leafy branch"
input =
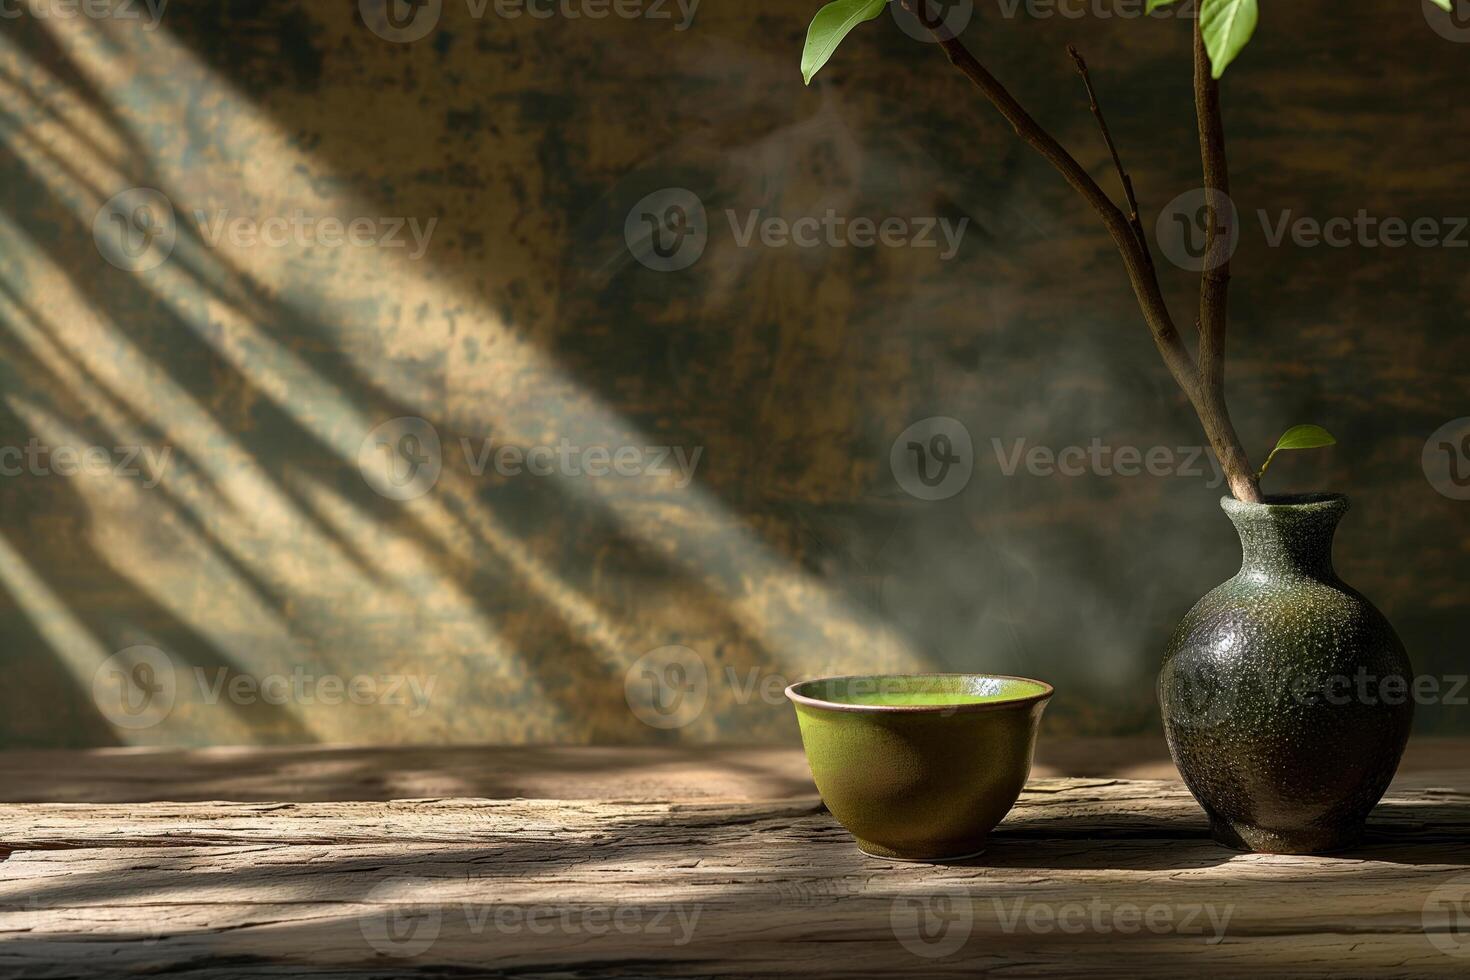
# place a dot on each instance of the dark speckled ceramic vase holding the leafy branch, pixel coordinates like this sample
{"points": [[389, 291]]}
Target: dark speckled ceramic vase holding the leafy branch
{"points": [[1287, 696]]}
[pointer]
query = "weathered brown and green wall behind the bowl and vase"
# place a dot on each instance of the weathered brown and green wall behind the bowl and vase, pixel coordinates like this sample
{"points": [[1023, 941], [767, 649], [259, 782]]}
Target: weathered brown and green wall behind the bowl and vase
{"points": [[261, 546]]}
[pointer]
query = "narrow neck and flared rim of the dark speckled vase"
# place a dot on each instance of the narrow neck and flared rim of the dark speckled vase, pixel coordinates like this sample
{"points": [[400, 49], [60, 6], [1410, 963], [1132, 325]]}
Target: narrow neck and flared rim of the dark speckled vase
{"points": [[1288, 536]]}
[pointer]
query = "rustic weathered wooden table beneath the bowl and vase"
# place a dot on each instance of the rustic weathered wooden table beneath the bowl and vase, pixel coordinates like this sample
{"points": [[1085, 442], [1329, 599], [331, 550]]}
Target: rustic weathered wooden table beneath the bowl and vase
{"points": [[667, 862]]}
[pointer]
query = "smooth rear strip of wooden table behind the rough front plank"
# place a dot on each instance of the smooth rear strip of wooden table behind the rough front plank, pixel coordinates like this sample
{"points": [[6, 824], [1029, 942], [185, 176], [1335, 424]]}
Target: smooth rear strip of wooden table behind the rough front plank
{"points": [[327, 774]]}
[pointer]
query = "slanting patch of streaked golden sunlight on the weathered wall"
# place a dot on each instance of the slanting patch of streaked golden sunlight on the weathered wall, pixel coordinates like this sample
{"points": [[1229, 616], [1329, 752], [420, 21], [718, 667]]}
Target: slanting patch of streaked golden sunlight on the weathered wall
{"points": [[264, 562]]}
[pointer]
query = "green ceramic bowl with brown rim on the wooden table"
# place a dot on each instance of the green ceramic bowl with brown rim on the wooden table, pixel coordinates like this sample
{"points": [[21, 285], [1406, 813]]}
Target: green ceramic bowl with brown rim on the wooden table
{"points": [[919, 768]]}
